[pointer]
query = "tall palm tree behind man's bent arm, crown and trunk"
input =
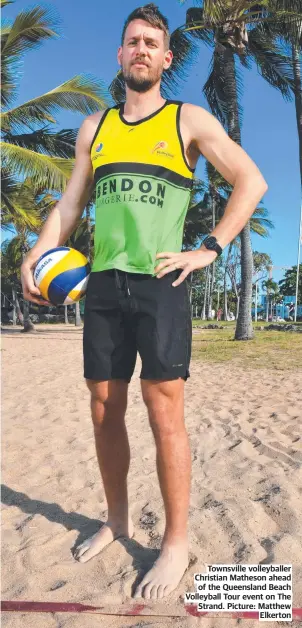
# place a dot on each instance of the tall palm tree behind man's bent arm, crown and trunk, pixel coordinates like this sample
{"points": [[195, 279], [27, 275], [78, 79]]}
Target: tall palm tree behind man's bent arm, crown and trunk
{"points": [[236, 31]]}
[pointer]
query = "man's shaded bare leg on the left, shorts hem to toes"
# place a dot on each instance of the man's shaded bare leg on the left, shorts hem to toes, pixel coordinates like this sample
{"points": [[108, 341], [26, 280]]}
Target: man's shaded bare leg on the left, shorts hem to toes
{"points": [[108, 407]]}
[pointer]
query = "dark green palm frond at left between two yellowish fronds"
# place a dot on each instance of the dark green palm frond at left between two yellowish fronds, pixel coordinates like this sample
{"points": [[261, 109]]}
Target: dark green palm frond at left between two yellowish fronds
{"points": [[44, 141]]}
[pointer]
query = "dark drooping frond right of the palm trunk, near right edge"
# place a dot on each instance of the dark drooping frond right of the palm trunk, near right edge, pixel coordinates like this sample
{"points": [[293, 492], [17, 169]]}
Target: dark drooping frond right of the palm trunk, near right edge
{"points": [[273, 65]]}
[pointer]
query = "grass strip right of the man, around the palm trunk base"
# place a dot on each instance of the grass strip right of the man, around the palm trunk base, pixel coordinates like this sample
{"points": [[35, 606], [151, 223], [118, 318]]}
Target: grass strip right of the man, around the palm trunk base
{"points": [[277, 350]]}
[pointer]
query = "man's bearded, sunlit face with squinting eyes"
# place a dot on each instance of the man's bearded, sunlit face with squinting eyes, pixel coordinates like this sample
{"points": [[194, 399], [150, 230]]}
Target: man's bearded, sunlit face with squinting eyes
{"points": [[143, 56]]}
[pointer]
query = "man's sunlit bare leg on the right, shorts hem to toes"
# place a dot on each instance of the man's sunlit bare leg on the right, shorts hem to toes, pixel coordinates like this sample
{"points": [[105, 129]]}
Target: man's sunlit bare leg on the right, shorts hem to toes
{"points": [[165, 403]]}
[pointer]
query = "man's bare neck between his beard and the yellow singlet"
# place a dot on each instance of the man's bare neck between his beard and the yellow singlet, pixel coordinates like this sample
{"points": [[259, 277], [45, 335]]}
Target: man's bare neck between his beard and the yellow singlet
{"points": [[140, 105]]}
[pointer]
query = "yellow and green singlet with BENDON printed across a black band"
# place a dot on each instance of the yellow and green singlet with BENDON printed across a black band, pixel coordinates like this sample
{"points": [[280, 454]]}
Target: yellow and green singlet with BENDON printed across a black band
{"points": [[143, 184]]}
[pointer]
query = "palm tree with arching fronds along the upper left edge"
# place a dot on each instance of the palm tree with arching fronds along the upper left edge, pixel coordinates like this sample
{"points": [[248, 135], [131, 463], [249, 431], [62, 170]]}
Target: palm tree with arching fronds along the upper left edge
{"points": [[31, 146]]}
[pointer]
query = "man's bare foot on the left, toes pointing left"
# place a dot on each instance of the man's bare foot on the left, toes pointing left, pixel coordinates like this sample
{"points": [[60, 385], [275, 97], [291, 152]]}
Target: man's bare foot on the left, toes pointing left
{"points": [[95, 544]]}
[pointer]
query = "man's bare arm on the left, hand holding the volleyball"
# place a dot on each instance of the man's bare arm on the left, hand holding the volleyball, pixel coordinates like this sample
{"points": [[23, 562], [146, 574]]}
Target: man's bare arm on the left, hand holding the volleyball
{"points": [[64, 218]]}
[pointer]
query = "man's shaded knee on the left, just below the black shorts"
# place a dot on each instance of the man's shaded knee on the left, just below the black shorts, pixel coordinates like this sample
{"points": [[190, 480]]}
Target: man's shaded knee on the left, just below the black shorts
{"points": [[108, 400]]}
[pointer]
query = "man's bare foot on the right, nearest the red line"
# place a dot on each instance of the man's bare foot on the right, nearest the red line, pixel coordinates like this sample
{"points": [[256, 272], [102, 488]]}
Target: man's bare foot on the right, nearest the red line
{"points": [[166, 572]]}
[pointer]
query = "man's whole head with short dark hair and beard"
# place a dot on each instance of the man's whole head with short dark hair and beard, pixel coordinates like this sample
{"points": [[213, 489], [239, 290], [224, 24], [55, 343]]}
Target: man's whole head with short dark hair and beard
{"points": [[144, 53]]}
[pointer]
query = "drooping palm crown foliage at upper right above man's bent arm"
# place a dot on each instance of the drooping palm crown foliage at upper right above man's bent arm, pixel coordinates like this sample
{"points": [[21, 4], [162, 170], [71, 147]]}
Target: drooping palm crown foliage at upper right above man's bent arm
{"points": [[247, 31]]}
